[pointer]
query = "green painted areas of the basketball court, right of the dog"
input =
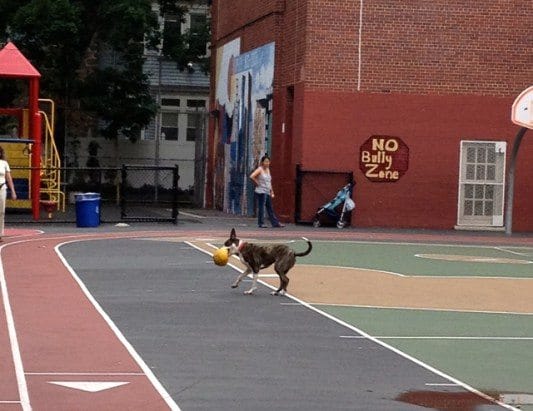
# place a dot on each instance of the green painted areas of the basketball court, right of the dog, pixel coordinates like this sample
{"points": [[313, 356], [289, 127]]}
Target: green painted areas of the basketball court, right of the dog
{"points": [[489, 351]]}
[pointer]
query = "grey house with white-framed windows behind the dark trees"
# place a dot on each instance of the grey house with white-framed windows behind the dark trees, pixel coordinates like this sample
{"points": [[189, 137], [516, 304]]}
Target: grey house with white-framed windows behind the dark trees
{"points": [[177, 134]]}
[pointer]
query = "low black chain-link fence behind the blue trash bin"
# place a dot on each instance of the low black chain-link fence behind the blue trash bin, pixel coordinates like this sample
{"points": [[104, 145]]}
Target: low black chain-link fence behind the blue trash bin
{"points": [[127, 193]]}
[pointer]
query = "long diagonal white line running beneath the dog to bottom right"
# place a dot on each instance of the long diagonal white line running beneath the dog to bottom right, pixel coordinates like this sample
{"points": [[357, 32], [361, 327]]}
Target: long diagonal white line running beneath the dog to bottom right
{"points": [[379, 342]]}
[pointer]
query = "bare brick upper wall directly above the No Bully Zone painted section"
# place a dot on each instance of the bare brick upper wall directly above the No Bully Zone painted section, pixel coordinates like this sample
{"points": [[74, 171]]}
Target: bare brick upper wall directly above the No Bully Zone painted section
{"points": [[432, 46]]}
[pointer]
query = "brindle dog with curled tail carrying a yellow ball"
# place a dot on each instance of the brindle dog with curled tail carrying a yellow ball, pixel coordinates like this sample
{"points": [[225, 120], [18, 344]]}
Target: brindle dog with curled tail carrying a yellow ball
{"points": [[256, 257]]}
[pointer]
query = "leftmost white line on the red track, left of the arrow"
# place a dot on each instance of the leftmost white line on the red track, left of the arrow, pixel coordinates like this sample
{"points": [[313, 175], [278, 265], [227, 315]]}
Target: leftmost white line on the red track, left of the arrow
{"points": [[13, 341]]}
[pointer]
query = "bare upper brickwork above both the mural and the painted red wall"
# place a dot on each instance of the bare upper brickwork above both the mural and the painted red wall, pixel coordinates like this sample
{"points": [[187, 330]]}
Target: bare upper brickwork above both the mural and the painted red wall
{"points": [[425, 47]]}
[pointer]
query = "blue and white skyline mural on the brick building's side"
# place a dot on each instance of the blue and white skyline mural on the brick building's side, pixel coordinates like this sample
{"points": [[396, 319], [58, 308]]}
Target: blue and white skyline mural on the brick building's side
{"points": [[244, 96]]}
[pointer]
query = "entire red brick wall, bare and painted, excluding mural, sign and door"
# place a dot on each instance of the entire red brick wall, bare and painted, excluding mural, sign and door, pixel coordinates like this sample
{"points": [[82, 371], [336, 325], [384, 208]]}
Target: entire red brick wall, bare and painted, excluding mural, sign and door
{"points": [[432, 72]]}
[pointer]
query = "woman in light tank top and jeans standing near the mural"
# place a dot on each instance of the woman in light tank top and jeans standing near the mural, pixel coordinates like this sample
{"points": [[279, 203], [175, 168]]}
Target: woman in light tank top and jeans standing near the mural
{"points": [[264, 193]]}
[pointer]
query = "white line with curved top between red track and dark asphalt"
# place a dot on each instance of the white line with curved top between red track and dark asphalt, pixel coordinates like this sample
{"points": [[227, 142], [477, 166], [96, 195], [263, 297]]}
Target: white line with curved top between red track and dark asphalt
{"points": [[137, 358]]}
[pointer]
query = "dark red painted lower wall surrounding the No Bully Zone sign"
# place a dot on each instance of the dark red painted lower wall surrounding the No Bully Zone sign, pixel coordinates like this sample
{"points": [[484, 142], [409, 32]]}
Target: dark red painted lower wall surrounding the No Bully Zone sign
{"points": [[336, 124]]}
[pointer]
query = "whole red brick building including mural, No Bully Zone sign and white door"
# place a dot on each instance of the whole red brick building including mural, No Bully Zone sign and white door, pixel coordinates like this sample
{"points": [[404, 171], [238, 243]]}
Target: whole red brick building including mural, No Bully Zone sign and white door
{"points": [[412, 98]]}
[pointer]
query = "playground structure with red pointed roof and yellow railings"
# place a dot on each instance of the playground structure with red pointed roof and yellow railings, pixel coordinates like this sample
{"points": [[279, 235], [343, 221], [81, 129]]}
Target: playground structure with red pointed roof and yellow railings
{"points": [[30, 147]]}
